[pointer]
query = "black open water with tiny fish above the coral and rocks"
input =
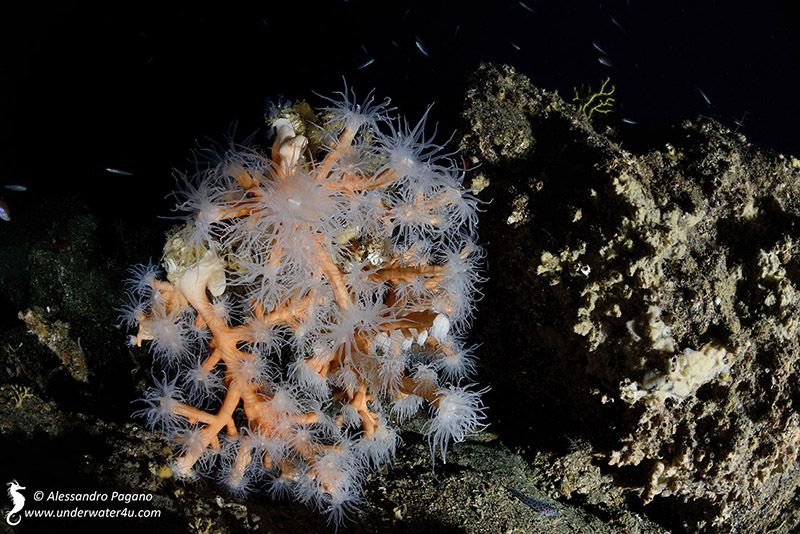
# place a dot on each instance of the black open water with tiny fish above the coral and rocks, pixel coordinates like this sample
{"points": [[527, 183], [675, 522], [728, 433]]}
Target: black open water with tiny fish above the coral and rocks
{"points": [[136, 88]]}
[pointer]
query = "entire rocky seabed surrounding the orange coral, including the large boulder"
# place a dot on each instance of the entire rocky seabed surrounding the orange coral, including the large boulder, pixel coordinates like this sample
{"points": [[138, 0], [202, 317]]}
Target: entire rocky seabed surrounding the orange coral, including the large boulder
{"points": [[639, 331]]}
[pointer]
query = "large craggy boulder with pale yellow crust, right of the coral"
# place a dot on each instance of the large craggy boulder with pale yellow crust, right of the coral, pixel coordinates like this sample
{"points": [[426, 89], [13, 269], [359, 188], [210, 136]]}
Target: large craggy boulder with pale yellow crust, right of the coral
{"points": [[647, 302]]}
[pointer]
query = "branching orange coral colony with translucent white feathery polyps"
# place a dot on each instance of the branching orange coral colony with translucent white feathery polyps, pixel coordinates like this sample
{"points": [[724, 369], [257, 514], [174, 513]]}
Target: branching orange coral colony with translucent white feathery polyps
{"points": [[325, 289]]}
